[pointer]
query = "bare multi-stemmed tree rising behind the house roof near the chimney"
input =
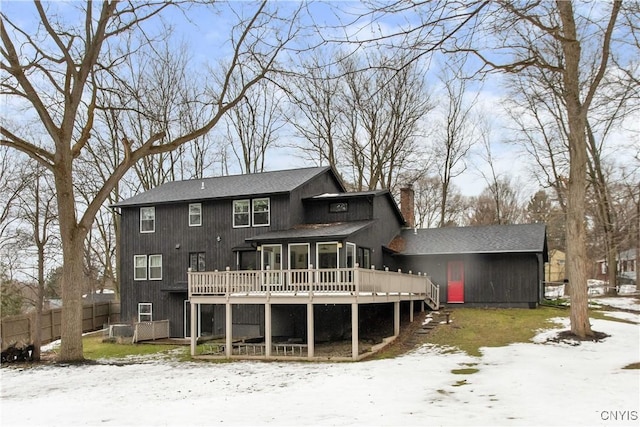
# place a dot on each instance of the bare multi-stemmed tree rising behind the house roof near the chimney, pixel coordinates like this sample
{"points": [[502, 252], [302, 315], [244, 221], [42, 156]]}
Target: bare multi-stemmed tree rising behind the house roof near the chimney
{"points": [[383, 111]]}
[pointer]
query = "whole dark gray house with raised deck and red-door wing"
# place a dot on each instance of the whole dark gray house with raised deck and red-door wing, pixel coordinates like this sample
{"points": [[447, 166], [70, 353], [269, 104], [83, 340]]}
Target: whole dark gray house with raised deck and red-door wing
{"points": [[291, 256]]}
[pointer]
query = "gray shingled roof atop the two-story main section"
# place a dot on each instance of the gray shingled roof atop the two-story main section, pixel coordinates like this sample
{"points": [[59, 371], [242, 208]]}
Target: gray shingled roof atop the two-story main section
{"points": [[264, 183]]}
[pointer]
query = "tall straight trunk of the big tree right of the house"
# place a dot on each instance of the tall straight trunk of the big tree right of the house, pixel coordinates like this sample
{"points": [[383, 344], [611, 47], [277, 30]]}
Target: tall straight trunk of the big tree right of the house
{"points": [[576, 232]]}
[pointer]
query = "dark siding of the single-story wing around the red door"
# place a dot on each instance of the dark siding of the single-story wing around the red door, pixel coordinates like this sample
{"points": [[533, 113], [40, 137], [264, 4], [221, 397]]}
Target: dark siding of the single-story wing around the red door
{"points": [[489, 279]]}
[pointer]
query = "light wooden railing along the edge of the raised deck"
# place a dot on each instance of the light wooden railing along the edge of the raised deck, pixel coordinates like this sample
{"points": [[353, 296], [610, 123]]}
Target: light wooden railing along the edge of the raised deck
{"points": [[310, 281]]}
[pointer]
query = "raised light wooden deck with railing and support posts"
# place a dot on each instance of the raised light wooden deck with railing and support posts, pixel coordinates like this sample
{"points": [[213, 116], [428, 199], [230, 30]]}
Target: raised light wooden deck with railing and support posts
{"points": [[311, 287]]}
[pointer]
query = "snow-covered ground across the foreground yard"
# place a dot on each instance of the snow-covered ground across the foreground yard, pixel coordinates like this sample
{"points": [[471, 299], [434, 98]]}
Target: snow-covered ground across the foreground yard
{"points": [[538, 383]]}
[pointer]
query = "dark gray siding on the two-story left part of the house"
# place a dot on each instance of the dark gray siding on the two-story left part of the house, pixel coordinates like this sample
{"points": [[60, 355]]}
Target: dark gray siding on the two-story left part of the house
{"points": [[174, 239]]}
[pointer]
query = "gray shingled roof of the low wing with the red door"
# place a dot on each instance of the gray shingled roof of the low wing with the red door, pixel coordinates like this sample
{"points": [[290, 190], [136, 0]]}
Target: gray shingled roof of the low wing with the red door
{"points": [[473, 240]]}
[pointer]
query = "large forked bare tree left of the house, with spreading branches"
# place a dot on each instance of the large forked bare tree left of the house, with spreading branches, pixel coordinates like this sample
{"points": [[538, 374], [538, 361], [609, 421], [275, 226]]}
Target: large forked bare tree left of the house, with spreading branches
{"points": [[54, 71]]}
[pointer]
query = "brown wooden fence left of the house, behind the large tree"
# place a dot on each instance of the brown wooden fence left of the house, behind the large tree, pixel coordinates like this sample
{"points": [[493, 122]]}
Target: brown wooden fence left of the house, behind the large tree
{"points": [[19, 329]]}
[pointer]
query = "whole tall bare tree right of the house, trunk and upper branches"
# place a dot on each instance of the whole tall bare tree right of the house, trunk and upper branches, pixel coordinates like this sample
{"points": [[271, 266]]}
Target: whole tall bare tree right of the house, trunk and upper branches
{"points": [[525, 32]]}
